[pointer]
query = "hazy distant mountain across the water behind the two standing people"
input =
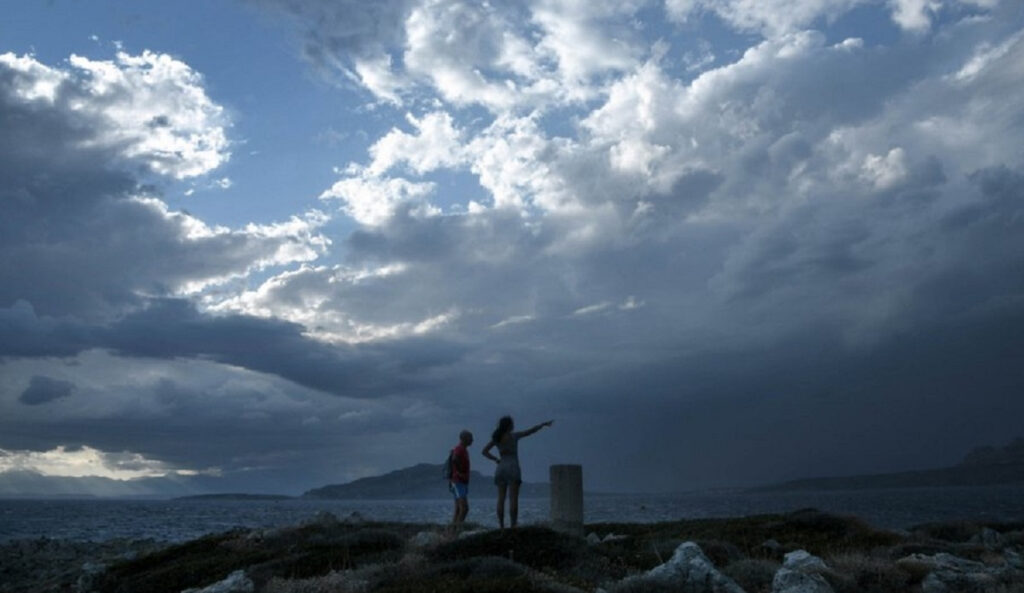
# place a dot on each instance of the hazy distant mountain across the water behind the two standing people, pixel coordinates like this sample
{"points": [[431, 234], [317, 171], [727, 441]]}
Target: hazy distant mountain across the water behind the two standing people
{"points": [[419, 482]]}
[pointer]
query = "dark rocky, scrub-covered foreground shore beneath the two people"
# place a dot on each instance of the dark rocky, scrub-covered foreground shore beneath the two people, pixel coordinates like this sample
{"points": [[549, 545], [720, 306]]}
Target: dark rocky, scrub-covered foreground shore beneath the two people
{"points": [[802, 553]]}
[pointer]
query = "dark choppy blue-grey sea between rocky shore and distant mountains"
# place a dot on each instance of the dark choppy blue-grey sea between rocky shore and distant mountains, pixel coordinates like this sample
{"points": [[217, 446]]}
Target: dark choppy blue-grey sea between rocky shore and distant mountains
{"points": [[177, 521]]}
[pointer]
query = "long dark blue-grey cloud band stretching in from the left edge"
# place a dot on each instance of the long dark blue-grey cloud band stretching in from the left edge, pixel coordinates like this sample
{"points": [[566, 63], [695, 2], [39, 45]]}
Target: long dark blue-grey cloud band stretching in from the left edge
{"points": [[170, 329]]}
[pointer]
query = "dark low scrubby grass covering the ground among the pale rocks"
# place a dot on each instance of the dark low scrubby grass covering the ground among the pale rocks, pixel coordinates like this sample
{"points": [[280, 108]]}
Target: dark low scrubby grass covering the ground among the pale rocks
{"points": [[377, 558]]}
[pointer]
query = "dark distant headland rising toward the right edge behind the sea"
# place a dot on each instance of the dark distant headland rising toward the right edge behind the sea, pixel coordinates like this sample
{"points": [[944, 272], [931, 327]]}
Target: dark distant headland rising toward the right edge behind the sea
{"points": [[984, 467]]}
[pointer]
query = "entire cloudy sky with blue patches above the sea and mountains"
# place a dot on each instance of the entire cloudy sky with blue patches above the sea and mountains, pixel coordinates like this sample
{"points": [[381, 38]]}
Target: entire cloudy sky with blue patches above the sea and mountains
{"points": [[268, 245]]}
